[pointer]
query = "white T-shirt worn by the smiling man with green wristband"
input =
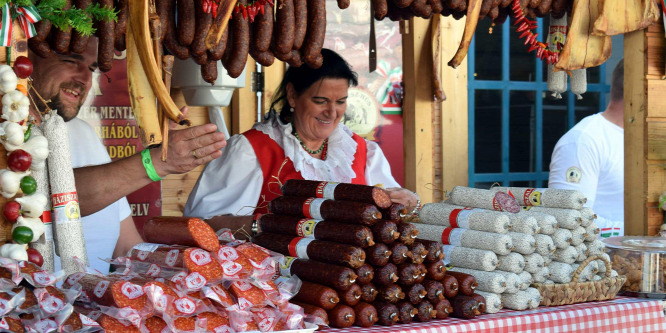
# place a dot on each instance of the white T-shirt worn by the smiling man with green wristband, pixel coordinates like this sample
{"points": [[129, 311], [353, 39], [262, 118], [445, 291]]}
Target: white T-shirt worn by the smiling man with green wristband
{"points": [[101, 229]]}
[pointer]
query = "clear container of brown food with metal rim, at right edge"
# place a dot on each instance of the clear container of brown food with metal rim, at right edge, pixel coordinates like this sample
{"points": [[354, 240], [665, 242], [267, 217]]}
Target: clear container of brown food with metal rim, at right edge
{"points": [[643, 260]]}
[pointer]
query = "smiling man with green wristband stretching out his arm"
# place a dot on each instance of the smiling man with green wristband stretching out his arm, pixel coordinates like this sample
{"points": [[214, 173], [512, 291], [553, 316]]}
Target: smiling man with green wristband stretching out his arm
{"points": [[64, 81]]}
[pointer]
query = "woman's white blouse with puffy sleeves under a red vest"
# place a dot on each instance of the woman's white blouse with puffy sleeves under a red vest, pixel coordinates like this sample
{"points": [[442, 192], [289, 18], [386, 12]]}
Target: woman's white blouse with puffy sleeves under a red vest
{"points": [[232, 183]]}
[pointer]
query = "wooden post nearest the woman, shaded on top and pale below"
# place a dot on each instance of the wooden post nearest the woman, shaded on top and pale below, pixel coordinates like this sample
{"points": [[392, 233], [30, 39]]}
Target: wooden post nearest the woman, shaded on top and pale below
{"points": [[418, 109]]}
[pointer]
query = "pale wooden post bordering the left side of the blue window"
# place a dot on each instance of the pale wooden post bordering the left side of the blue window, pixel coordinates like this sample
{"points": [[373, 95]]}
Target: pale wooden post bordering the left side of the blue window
{"points": [[454, 110]]}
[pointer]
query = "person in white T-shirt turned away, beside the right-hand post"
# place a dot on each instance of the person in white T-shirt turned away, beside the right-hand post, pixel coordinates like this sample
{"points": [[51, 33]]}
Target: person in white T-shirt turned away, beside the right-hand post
{"points": [[590, 158]]}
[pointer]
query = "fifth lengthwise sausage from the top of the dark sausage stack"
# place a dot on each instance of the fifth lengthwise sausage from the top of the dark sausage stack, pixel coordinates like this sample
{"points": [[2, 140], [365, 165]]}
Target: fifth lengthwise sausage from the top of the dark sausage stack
{"points": [[337, 277]]}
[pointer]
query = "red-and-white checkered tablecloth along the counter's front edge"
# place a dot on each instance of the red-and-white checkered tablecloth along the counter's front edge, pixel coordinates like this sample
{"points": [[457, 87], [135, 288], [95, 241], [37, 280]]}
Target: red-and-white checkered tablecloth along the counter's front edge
{"points": [[624, 314]]}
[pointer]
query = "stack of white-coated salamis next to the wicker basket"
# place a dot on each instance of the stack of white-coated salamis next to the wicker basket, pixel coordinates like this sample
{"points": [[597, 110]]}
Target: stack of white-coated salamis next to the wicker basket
{"points": [[544, 242]]}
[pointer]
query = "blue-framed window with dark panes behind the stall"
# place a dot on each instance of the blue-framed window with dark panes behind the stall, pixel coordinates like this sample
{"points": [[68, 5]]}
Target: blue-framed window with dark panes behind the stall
{"points": [[514, 122]]}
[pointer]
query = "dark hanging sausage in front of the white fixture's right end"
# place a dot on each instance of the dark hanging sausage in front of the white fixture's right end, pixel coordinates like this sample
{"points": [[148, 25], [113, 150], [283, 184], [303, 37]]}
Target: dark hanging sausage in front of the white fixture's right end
{"points": [[239, 48]]}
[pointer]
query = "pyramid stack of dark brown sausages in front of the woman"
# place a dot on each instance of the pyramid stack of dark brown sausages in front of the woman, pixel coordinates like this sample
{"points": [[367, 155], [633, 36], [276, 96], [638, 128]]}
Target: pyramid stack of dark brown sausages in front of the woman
{"points": [[361, 263]]}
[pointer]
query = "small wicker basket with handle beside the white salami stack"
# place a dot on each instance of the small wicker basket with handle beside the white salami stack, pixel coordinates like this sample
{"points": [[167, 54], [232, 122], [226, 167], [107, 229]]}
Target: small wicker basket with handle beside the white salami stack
{"points": [[579, 292]]}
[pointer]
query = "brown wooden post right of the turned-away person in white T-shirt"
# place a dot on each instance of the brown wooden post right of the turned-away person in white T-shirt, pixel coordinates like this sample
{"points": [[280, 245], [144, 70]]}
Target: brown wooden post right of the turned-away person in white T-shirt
{"points": [[635, 100]]}
